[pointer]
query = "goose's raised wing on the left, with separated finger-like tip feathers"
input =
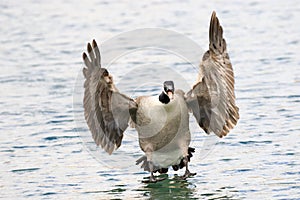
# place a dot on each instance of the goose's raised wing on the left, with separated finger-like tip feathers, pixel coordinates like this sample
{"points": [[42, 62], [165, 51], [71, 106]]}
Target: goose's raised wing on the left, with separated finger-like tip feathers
{"points": [[106, 111]]}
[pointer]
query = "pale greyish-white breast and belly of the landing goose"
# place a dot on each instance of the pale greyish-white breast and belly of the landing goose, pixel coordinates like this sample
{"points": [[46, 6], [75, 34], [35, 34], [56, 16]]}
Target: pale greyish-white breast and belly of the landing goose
{"points": [[163, 129]]}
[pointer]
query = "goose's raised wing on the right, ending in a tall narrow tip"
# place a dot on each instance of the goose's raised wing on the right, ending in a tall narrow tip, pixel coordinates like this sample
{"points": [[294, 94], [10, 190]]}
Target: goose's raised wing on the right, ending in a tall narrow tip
{"points": [[212, 99]]}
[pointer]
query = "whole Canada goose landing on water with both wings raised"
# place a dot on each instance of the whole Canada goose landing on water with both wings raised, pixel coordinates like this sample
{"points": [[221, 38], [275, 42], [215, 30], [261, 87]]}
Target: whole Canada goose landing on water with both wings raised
{"points": [[162, 121]]}
